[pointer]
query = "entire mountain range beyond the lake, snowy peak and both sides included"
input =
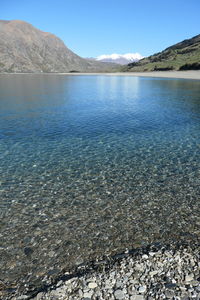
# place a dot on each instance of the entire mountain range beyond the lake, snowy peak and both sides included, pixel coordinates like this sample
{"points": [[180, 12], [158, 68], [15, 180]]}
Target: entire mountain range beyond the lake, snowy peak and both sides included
{"points": [[26, 49]]}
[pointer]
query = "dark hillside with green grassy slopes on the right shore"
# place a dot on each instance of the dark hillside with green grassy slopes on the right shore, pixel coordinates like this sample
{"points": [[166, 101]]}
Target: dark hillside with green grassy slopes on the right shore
{"points": [[182, 56]]}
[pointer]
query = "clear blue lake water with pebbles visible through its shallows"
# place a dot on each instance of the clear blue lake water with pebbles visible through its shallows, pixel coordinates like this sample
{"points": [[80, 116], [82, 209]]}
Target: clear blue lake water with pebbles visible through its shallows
{"points": [[94, 165]]}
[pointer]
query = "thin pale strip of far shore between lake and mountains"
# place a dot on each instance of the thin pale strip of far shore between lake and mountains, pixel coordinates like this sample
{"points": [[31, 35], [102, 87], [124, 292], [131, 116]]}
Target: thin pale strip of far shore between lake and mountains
{"points": [[193, 74]]}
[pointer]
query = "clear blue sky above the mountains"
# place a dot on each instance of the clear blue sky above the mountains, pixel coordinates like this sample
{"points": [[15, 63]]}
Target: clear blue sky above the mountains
{"points": [[94, 27]]}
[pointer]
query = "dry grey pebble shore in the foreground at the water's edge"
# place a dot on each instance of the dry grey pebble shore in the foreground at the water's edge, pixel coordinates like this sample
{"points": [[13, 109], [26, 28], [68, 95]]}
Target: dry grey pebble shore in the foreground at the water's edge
{"points": [[154, 272]]}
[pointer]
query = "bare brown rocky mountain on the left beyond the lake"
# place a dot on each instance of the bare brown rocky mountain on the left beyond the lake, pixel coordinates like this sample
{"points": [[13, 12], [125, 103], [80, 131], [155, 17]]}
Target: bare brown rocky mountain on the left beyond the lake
{"points": [[23, 48]]}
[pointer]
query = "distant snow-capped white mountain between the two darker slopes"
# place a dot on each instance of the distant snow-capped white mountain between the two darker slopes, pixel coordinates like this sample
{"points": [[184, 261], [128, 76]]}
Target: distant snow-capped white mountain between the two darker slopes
{"points": [[121, 59]]}
